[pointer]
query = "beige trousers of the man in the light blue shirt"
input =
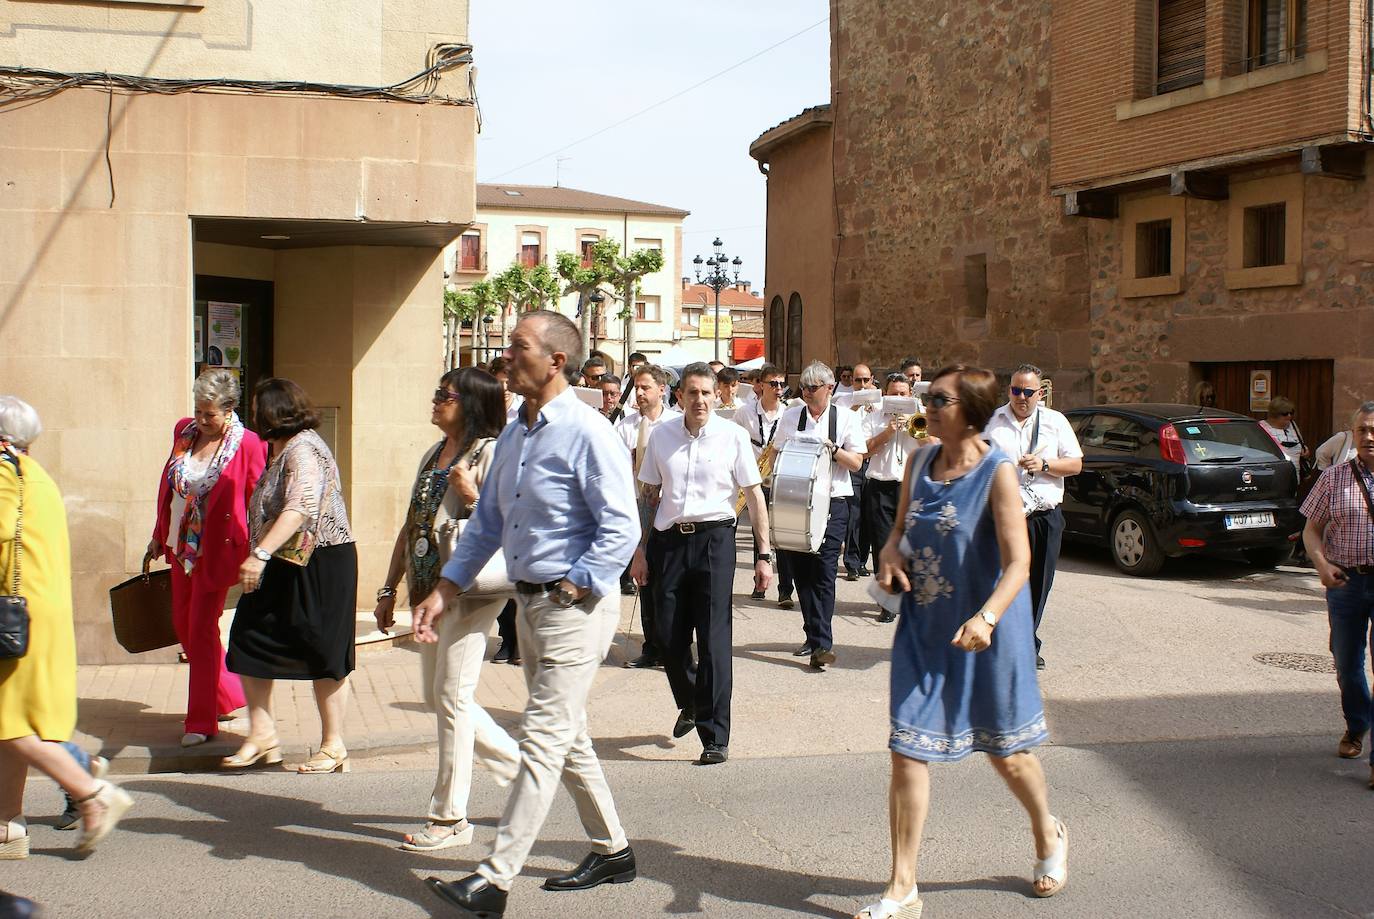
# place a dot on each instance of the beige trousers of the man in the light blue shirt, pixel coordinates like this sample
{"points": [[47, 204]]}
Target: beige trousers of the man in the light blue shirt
{"points": [[563, 650]]}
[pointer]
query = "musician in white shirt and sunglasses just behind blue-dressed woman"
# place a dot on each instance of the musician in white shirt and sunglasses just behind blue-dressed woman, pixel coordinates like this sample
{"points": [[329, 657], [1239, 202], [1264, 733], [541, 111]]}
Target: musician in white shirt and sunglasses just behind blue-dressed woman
{"points": [[1048, 453]]}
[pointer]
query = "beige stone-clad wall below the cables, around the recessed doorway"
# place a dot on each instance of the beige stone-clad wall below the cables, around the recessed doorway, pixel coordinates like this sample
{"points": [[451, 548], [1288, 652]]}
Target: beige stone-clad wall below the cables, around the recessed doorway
{"points": [[97, 296]]}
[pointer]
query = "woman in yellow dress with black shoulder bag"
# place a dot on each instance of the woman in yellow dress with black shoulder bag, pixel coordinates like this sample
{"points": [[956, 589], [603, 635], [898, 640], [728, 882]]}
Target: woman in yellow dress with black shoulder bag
{"points": [[39, 690]]}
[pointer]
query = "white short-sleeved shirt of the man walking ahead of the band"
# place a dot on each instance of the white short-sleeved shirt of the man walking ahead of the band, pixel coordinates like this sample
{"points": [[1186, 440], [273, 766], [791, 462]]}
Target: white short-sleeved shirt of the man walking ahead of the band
{"points": [[700, 477]]}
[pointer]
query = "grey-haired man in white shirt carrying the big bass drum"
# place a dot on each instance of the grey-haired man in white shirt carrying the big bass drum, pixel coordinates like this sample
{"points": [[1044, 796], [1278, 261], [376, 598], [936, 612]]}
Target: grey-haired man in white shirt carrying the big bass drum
{"points": [[815, 575]]}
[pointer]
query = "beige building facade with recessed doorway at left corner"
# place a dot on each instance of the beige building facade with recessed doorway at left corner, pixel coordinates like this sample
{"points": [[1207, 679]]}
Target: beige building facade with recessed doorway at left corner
{"points": [[286, 219]]}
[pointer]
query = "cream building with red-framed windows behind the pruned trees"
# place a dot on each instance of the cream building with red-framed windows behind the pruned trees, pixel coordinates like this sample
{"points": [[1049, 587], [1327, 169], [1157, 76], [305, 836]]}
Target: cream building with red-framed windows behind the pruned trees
{"points": [[531, 225]]}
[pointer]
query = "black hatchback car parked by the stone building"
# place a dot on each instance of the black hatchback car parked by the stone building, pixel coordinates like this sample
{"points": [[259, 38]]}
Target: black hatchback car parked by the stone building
{"points": [[1163, 481]]}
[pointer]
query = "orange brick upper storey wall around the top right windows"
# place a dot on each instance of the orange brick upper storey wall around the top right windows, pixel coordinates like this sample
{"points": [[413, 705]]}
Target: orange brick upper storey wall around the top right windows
{"points": [[1104, 57]]}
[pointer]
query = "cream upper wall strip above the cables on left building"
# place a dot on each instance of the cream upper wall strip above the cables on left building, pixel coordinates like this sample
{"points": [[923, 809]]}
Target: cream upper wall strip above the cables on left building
{"points": [[346, 42]]}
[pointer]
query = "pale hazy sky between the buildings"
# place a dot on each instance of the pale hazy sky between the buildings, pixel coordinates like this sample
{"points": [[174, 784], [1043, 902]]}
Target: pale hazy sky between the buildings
{"points": [[550, 73]]}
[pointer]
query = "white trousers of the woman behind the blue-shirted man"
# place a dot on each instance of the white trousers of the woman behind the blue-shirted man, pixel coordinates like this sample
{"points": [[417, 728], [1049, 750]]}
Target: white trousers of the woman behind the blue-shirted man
{"points": [[449, 672]]}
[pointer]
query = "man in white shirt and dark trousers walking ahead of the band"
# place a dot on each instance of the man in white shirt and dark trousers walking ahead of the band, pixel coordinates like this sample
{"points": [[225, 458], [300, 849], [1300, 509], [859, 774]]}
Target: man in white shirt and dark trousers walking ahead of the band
{"points": [[693, 470]]}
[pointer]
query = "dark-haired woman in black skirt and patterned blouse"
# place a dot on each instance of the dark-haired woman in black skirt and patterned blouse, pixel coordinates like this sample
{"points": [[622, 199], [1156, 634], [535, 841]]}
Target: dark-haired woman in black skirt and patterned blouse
{"points": [[297, 616]]}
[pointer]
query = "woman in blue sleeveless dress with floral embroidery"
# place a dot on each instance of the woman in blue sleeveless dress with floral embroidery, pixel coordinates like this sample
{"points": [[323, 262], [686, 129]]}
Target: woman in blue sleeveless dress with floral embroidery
{"points": [[964, 674]]}
